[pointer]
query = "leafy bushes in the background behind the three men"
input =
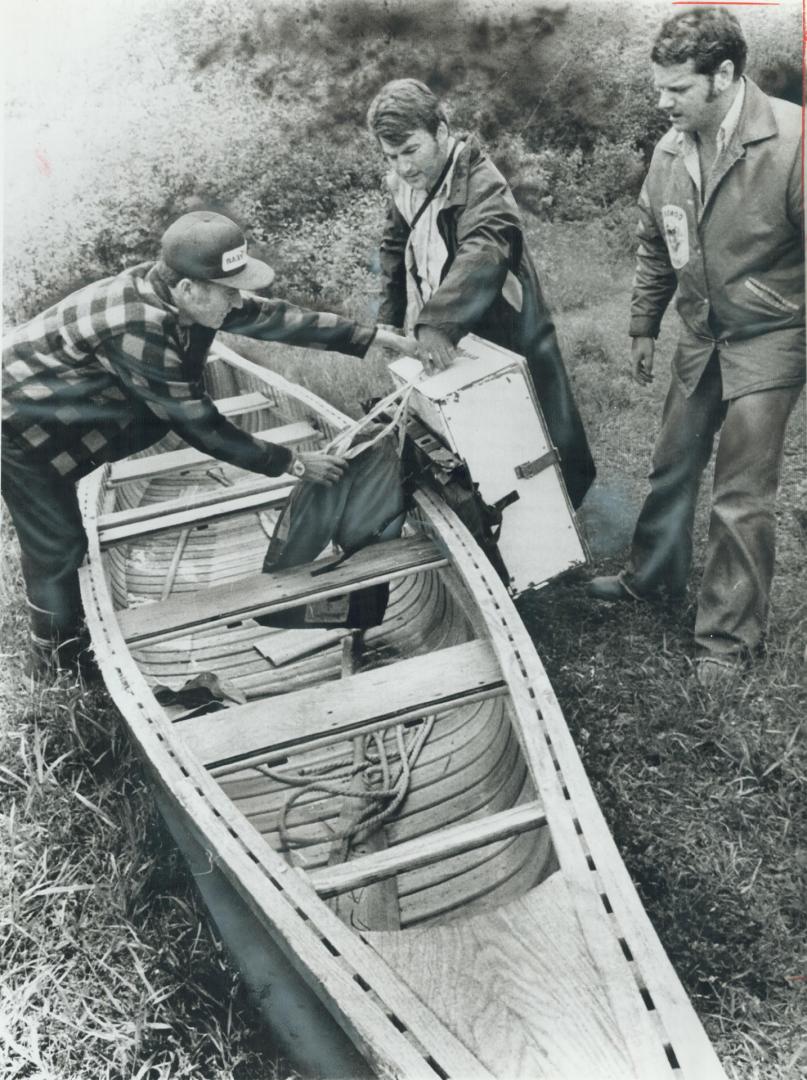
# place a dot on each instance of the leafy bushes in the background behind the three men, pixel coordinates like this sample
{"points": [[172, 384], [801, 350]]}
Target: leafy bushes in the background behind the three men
{"points": [[265, 121]]}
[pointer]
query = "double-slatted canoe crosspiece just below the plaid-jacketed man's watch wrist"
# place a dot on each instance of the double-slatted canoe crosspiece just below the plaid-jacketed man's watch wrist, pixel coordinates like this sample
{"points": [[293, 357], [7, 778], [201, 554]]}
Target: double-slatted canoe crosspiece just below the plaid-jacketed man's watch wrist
{"points": [[193, 510]]}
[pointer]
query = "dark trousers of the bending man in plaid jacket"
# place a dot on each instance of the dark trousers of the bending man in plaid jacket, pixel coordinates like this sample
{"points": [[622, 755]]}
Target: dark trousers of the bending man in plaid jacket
{"points": [[45, 510]]}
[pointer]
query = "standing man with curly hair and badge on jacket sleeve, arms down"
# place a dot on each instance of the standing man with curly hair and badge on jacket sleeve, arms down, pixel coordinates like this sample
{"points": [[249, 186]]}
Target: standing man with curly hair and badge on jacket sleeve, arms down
{"points": [[721, 223]]}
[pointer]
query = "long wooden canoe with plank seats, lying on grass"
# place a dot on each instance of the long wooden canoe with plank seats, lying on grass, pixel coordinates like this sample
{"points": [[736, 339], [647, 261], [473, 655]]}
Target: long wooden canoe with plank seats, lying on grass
{"points": [[489, 927]]}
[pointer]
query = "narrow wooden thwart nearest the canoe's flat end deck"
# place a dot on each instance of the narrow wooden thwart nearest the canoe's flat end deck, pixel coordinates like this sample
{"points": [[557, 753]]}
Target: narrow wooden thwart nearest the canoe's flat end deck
{"points": [[426, 850]]}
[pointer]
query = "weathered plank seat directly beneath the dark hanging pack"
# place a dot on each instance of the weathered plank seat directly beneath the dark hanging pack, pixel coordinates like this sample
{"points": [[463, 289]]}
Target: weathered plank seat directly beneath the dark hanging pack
{"points": [[287, 589]]}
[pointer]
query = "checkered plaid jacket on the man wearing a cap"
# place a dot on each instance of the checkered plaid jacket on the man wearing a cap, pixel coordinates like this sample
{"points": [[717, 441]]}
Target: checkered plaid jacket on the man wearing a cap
{"points": [[111, 371]]}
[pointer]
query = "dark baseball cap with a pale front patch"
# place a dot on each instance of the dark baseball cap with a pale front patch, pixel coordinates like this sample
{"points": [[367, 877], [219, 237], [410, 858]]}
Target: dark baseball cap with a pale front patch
{"points": [[209, 247]]}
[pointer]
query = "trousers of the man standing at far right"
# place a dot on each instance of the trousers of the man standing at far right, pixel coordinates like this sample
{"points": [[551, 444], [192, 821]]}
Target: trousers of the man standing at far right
{"points": [[733, 606]]}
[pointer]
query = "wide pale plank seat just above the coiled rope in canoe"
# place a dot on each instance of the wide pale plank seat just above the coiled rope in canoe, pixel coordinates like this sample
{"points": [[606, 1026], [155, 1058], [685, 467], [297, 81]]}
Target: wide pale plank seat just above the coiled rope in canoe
{"points": [[333, 711]]}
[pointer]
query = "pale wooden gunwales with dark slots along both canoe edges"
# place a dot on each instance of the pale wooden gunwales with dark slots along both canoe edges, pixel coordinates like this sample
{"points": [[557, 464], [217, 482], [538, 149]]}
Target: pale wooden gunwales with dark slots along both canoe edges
{"points": [[335, 962]]}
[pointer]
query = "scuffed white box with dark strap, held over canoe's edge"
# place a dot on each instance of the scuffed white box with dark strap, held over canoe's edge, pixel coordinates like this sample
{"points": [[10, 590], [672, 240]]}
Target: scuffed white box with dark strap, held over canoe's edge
{"points": [[483, 409]]}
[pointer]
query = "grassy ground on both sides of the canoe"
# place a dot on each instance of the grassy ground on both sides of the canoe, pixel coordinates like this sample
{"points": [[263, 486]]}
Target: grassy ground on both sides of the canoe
{"points": [[110, 968]]}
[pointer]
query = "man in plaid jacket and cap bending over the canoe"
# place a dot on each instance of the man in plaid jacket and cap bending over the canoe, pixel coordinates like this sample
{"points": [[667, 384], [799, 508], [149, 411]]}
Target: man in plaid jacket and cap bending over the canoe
{"points": [[117, 366]]}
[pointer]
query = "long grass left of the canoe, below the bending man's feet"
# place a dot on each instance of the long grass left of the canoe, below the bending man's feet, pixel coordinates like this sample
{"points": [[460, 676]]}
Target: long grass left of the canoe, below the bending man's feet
{"points": [[109, 968]]}
